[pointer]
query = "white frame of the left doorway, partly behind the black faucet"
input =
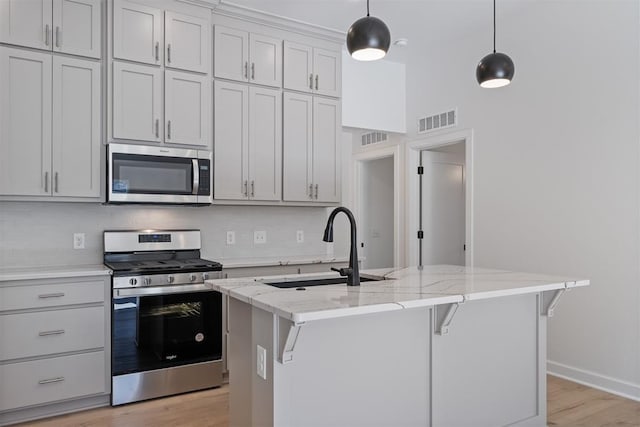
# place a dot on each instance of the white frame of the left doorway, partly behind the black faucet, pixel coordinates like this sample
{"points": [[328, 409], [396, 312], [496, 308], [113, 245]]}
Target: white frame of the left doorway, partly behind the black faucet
{"points": [[398, 217]]}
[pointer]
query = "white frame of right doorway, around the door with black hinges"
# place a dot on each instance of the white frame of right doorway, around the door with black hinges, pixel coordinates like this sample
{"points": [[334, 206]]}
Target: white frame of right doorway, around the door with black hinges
{"points": [[414, 148]]}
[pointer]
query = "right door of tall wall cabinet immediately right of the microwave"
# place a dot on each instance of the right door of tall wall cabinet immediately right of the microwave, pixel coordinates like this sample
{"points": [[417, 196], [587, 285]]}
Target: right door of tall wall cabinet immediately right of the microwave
{"points": [[265, 144]]}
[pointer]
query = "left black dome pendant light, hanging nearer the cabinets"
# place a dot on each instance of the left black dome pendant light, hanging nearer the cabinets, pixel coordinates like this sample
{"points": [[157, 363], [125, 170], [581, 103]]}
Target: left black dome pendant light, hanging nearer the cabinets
{"points": [[368, 38]]}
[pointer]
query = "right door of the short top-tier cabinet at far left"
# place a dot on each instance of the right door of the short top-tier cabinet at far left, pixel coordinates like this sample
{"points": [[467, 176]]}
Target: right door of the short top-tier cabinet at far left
{"points": [[76, 27]]}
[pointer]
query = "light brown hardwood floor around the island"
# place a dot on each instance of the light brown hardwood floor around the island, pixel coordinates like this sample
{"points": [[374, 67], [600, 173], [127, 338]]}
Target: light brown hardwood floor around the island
{"points": [[569, 404]]}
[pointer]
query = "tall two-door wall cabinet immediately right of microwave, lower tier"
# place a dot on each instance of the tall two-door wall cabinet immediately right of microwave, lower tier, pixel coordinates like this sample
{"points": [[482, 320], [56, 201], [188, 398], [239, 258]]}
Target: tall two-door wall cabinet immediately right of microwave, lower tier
{"points": [[248, 142]]}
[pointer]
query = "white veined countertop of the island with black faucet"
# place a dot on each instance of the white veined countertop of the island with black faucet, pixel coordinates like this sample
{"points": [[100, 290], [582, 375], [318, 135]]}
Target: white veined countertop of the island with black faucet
{"points": [[402, 288]]}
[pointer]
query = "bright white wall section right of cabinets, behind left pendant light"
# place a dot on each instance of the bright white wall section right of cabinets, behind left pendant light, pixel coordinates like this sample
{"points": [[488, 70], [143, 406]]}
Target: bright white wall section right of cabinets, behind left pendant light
{"points": [[373, 94]]}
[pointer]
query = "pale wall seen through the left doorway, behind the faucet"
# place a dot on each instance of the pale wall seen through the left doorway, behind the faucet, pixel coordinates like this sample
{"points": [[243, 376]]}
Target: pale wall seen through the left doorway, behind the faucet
{"points": [[376, 230]]}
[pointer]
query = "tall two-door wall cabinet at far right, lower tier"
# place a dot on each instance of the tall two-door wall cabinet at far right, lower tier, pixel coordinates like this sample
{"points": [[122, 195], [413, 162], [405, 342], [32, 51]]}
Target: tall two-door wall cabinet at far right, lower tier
{"points": [[311, 163]]}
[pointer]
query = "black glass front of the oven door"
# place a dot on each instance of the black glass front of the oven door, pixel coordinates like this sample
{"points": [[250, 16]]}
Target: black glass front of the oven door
{"points": [[162, 331]]}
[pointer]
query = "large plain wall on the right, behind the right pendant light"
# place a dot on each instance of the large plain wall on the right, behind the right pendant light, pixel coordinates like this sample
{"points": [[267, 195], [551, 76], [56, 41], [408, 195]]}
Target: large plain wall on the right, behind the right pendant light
{"points": [[556, 166]]}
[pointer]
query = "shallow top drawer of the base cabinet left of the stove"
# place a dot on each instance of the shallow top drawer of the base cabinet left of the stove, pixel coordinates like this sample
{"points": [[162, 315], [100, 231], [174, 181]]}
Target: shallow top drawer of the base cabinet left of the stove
{"points": [[51, 295]]}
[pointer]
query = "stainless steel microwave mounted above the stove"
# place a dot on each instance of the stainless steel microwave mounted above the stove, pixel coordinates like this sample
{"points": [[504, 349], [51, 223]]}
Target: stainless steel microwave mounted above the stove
{"points": [[144, 174]]}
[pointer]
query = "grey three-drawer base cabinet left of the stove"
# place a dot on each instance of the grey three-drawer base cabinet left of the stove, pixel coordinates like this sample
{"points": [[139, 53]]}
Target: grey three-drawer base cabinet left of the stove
{"points": [[54, 346]]}
